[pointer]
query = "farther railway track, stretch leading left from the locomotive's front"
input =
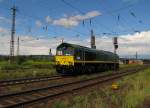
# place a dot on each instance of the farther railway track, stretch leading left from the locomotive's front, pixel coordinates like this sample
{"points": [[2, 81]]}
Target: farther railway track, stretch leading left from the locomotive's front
{"points": [[28, 80]]}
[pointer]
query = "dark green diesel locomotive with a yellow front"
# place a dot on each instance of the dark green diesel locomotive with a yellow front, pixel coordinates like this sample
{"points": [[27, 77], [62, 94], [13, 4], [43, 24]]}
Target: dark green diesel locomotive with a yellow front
{"points": [[75, 59]]}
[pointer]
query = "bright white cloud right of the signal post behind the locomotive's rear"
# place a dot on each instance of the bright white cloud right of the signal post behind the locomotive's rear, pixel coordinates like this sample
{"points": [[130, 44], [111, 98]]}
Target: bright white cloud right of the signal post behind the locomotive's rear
{"points": [[138, 42]]}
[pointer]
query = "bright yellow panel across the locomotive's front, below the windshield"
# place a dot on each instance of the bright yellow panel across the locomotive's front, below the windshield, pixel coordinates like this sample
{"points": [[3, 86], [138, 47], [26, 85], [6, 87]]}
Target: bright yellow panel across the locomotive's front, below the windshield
{"points": [[64, 60]]}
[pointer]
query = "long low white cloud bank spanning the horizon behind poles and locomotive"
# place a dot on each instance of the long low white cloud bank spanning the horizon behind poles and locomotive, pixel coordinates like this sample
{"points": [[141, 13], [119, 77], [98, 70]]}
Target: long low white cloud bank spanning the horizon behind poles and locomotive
{"points": [[128, 44]]}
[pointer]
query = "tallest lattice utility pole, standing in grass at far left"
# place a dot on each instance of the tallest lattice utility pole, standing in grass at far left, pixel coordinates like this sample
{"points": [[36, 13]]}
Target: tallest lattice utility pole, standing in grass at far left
{"points": [[12, 34]]}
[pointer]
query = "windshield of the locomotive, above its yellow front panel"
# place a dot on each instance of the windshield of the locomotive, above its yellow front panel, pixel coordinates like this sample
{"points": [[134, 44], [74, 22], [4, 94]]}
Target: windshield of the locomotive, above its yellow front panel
{"points": [[65, 51]]}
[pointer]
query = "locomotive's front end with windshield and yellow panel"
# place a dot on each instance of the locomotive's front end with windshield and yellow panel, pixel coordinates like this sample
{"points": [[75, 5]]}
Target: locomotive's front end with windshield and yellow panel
{"points": [[64, 59]]}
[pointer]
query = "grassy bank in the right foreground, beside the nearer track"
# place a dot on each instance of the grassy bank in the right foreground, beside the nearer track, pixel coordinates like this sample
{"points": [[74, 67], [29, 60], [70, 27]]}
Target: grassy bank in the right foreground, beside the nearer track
{"points": [[132, 91]]}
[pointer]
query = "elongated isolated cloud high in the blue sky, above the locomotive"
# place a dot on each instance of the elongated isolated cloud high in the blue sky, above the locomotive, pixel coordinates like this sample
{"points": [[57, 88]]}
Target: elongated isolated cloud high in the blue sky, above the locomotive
{"points": [[72, 21]]}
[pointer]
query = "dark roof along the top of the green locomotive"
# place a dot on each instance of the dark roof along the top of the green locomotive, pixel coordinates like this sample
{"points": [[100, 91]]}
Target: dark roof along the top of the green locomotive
{"points": [[85, 48]]}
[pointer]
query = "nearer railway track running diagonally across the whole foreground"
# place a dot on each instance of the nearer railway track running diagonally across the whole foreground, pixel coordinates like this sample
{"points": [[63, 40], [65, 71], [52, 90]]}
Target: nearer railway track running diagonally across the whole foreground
{"points": [[21, 99]]}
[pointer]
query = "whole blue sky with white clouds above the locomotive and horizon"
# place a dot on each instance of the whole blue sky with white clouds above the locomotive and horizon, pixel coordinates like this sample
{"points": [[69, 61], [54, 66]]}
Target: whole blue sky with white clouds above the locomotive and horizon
{"points": [[42, 24]]}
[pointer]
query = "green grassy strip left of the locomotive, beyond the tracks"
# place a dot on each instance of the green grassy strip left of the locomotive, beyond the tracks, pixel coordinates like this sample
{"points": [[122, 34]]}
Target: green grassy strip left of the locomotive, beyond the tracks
{"points": [[28, 68]]}
